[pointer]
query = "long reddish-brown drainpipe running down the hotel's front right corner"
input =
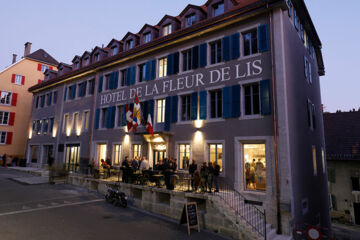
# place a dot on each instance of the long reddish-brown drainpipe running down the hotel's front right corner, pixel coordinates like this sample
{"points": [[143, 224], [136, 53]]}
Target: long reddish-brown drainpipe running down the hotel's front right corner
{"points": [[273, 65]]}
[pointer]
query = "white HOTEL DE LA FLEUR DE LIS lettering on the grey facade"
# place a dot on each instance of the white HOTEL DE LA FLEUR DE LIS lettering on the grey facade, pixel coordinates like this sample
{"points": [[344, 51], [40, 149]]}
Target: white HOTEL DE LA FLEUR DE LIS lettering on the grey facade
{"points": [[211, 77]]}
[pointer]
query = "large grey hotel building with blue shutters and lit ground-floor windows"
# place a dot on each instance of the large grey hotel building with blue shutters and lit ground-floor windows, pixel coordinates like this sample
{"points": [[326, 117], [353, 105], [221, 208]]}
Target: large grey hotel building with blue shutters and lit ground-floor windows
{"points": [[232, 81]]}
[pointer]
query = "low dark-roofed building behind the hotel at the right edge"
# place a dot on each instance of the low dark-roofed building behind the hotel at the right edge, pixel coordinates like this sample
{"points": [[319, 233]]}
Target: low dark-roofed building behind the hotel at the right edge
{"points": [[342, 138]]}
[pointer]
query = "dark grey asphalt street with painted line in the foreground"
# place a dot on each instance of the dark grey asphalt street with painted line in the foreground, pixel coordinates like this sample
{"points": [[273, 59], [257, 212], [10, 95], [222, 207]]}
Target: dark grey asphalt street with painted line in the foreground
{"points": [[58, 212]]}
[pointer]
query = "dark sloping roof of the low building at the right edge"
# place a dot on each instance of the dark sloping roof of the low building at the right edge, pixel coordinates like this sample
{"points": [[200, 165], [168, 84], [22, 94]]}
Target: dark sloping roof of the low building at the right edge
{"points": [[342, 135]]}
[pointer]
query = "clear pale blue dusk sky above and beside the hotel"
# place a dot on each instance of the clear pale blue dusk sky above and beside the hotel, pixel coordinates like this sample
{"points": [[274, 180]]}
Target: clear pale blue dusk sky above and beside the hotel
{"points": [[68, 28]]}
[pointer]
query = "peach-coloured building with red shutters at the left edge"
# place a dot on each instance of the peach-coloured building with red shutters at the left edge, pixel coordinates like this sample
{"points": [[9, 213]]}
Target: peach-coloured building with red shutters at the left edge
{"points": [[15, 99]]}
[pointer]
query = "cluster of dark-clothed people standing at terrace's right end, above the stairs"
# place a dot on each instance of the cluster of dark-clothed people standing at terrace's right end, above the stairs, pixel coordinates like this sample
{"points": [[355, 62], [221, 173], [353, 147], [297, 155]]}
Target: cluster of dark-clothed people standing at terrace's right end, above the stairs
{"points": [[205, 177]]}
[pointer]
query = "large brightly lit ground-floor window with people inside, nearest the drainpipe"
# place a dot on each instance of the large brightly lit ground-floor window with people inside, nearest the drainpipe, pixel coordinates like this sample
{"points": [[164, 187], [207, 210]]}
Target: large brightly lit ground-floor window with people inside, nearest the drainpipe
{"points": [[255, 167]]}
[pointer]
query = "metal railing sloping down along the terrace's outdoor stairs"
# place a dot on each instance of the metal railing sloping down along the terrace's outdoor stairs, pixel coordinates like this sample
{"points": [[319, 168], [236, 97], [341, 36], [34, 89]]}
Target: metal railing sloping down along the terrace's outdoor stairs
{"points": [[250, 214]]}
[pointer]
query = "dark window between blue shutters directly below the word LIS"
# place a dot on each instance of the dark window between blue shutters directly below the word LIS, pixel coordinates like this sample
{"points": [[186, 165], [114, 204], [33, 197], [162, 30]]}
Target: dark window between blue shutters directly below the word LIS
{"points": [[252, 99]]}
